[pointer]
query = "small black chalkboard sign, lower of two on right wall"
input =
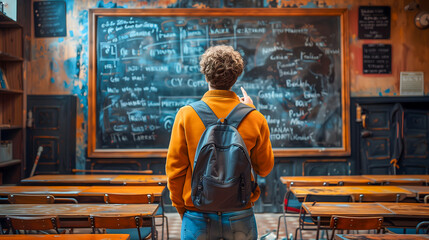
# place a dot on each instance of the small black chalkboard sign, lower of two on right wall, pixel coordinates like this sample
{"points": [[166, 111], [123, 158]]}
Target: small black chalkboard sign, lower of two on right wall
{"points": [[377, 58]]}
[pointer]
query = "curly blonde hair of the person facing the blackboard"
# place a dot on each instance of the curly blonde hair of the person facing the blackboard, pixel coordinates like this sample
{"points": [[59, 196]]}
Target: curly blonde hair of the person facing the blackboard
{"points": [[221, 65]]}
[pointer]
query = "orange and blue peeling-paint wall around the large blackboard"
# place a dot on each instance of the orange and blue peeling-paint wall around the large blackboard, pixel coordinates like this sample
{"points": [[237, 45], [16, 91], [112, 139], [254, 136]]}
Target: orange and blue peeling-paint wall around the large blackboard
{"points": [[60, 65]]}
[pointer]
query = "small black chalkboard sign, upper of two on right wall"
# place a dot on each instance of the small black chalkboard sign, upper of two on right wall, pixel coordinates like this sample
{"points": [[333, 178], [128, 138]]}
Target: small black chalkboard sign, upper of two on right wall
{"points": [[374, 22]]}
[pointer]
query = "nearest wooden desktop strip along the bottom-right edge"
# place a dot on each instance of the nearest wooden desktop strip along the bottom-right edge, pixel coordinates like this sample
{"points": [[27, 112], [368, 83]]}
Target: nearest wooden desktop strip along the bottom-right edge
{"points": [[381, 237]]}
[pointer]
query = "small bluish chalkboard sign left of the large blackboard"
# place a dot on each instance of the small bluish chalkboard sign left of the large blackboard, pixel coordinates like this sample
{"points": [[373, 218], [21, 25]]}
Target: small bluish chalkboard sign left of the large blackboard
{"points": [[50, 19]]}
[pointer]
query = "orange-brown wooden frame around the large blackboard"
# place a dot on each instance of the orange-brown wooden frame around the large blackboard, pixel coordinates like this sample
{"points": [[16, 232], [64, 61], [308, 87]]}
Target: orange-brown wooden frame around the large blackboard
{"points": [[341, 14]]}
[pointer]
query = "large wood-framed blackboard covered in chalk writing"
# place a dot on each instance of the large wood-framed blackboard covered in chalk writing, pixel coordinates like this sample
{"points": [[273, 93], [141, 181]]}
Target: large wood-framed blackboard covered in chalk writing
{"points": [[144, 66]]}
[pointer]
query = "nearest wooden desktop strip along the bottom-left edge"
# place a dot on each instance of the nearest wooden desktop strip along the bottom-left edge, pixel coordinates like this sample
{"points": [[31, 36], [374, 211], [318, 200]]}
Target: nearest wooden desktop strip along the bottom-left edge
{"points": [[66, 237]]}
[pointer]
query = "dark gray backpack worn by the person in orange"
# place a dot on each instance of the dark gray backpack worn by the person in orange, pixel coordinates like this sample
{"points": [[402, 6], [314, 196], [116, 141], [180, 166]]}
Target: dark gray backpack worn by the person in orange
{"points": [[221, 178]]}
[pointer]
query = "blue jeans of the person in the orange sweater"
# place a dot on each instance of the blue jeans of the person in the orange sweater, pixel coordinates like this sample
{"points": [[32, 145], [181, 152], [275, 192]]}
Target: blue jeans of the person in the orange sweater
{"points": [[236, 225]]}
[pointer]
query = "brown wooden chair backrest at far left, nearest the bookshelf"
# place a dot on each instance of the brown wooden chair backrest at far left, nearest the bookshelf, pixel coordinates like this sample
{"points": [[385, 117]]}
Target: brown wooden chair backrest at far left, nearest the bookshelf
{"points": [[37, 198]]}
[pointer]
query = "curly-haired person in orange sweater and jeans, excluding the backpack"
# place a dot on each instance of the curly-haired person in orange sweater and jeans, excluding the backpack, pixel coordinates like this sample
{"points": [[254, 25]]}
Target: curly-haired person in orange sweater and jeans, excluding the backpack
{"points": [[221, 65]]}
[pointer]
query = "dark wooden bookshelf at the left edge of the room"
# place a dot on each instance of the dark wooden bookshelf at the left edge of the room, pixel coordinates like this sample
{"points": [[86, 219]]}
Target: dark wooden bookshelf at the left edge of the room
{"points": [[12, 99]]}
